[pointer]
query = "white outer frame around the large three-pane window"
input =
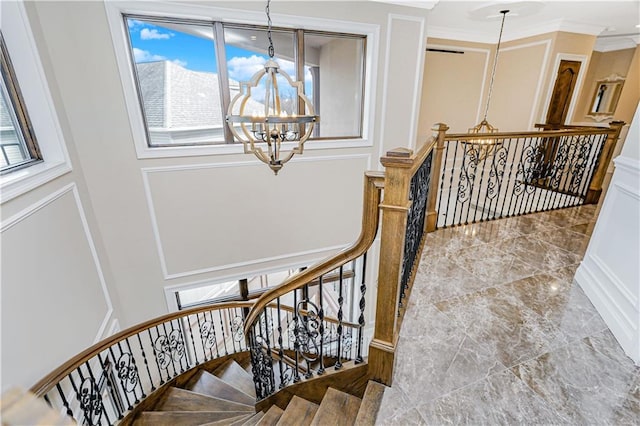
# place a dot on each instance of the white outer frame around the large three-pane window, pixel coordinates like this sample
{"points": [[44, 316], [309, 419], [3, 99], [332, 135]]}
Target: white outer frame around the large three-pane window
{"points": [[115, 16]]}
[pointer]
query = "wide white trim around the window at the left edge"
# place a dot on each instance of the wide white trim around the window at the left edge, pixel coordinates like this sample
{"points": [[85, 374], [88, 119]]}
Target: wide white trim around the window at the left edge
{"points": [[39, 104]]}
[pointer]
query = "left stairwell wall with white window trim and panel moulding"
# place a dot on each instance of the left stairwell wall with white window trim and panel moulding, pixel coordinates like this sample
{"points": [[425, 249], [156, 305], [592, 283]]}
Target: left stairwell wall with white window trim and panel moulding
{"points": [[56, 294]]}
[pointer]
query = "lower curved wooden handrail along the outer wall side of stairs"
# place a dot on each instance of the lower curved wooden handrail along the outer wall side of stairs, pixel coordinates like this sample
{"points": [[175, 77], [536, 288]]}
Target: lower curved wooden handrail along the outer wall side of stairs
{"points": [[50, 380]]}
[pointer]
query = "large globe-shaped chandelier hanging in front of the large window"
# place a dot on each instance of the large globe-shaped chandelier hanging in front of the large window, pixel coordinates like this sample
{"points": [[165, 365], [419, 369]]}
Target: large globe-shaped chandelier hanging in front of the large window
{"points": [[270, 128]]}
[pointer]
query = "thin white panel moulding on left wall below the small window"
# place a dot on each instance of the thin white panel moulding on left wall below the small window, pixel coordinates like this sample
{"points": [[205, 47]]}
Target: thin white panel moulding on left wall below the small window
{"points": [[44, 202]]}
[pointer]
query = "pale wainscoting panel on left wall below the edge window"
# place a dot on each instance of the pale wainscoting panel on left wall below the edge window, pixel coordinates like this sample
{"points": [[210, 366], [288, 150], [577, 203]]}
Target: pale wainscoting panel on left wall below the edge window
{"points": [[54, 298]]}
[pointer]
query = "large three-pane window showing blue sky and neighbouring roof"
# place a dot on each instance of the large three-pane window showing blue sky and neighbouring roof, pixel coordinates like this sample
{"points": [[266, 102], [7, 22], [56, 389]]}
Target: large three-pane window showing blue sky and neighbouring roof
{"points": [[187, 72]]}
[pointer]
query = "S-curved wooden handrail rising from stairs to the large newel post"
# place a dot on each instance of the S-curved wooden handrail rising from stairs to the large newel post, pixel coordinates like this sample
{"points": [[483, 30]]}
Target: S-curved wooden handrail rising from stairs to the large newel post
{"points": [[374, 182]]}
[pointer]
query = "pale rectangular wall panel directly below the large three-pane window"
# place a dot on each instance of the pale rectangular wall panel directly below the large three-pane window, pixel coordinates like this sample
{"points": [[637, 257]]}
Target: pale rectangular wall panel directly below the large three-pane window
{"points": [[212, 217]]}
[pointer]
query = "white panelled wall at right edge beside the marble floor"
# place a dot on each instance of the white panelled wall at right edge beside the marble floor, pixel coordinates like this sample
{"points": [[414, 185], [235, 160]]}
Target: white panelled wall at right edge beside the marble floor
{"points": [[610, 273]]}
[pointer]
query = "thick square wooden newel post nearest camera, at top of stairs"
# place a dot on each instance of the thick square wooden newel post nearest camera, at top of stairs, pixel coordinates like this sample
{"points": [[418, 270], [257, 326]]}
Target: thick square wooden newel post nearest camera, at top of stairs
{"points": [[394, 206]]}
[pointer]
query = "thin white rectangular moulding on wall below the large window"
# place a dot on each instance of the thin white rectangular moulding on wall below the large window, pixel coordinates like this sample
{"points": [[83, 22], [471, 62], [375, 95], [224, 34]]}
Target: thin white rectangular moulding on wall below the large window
{"points": [[156, 229]]}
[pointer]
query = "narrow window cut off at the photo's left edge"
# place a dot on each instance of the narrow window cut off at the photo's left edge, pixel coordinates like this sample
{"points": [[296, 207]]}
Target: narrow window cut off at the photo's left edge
{"points": [[17, 141]]}
